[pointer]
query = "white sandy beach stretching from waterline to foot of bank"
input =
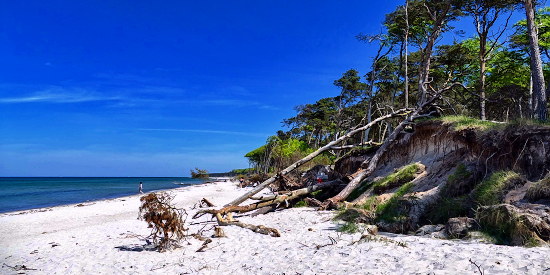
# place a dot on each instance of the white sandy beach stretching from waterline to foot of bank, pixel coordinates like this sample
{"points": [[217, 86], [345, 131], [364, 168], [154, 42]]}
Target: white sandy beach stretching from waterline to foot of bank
{"points": [[104, 237]]}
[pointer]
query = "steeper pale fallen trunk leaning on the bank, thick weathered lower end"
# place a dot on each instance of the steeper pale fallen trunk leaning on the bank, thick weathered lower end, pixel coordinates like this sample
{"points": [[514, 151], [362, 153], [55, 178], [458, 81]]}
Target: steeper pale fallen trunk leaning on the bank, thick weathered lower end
{"points": [[362, 174]]}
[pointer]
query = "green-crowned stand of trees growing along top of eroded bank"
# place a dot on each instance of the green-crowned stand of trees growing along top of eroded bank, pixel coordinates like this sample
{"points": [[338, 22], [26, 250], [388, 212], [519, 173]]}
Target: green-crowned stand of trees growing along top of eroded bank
{"points": [[491, 64]]}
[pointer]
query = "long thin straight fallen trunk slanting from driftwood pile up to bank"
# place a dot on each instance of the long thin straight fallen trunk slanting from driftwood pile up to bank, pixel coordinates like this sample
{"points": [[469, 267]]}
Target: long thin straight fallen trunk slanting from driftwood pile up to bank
{"points": [[309, 157]]}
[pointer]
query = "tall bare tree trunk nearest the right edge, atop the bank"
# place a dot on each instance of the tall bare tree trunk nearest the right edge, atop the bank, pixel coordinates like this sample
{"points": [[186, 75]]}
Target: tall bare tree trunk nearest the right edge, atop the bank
{"points": [[539, 91]]}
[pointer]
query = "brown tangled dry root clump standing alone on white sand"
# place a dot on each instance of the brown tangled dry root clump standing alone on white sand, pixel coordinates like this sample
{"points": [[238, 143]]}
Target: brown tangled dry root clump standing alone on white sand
{"points": [[167, 222]]}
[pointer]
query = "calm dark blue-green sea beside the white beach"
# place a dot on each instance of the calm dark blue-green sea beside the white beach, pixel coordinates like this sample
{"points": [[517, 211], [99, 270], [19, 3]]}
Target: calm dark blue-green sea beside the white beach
{"points": [[28, 193]]}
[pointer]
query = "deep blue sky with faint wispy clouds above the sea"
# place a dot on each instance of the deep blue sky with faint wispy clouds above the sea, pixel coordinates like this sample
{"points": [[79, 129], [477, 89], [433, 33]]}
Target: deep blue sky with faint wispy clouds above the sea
{"points": [[155, 88]]}
